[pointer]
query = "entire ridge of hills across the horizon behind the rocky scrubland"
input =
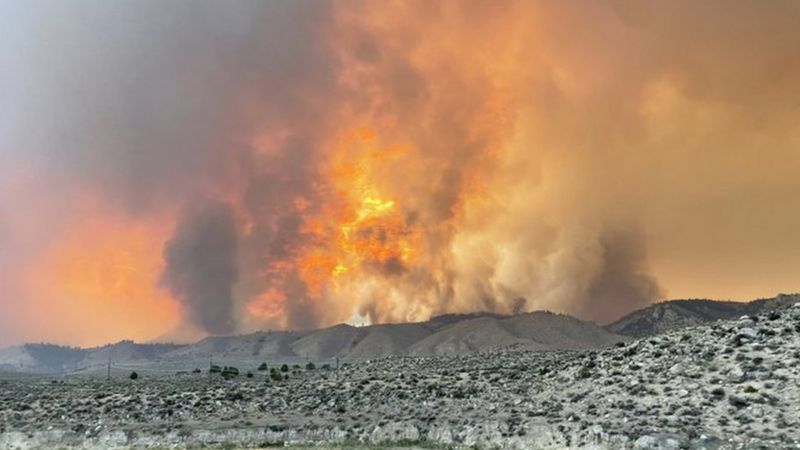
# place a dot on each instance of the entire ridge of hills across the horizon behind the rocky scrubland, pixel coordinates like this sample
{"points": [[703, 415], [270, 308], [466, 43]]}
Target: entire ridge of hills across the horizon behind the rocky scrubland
{"points": [[448, 334]]}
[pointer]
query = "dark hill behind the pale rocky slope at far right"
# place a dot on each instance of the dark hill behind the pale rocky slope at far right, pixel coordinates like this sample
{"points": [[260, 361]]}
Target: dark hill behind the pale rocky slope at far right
{"points": [[676, 314]]}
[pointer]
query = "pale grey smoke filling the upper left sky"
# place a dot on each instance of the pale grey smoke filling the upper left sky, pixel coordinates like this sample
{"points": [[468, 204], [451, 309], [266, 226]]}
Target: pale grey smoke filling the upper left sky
{"points": [[153, 101]]}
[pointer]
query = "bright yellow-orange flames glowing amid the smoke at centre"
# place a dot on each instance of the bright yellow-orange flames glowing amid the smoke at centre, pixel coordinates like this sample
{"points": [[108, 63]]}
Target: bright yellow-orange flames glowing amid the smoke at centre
{"points": [[360, 231]]}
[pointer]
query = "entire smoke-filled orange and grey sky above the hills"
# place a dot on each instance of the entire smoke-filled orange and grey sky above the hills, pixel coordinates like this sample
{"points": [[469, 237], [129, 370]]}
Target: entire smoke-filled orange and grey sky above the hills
{"points": [[173, 170]]}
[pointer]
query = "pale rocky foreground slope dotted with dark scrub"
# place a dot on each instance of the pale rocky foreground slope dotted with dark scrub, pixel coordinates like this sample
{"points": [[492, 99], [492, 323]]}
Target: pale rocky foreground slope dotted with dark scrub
{"points": [[724, 385]]}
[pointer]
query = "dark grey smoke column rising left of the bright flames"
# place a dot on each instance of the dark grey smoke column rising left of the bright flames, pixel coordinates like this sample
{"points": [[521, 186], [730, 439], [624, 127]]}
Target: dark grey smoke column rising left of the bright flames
{"points": [[201, 266]]}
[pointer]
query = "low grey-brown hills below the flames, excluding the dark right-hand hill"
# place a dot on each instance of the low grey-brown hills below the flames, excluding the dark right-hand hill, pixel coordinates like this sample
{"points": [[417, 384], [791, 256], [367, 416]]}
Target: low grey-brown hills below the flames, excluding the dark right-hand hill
{"points": [[453, 334]]}
